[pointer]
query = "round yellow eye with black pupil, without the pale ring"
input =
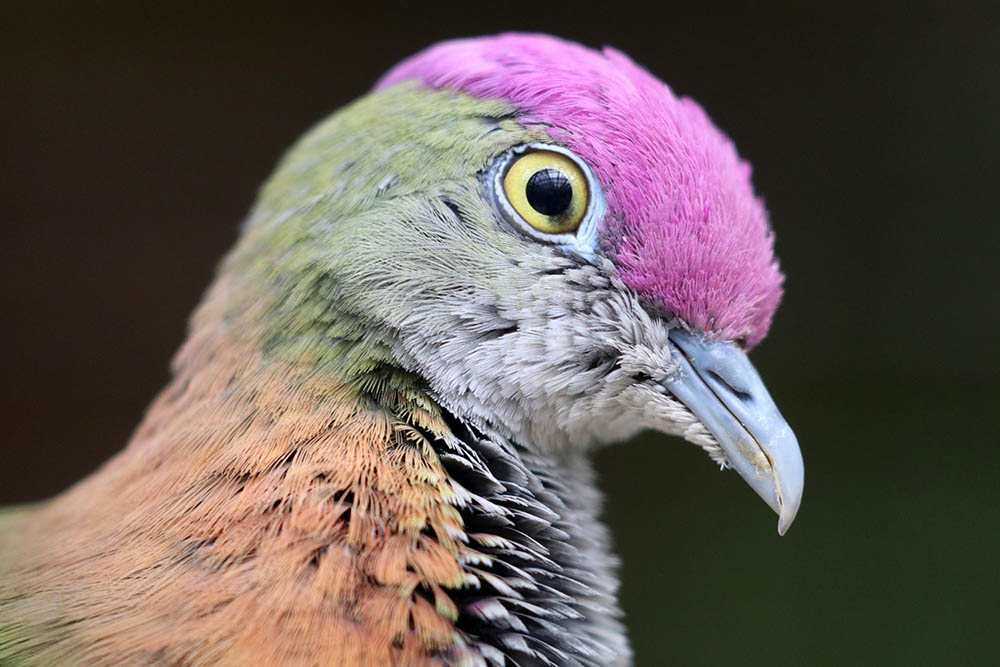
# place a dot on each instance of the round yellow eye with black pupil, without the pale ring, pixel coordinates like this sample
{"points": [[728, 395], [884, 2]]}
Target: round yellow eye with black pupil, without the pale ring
{"points": [[548, 190]]}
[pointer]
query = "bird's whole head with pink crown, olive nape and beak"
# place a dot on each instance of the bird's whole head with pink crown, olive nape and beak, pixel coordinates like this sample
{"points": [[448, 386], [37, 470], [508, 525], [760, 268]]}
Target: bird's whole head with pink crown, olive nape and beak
{"points": [[547, 240]]}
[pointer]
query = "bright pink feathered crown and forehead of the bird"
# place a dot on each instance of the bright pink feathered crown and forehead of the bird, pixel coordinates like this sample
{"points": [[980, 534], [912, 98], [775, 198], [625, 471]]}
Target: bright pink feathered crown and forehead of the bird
{"points": [[684, 227]]}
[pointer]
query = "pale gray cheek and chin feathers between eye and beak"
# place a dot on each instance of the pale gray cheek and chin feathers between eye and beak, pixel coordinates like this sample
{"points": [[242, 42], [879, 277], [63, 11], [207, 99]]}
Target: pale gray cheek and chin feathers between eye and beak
{"points": [[565, 359]]}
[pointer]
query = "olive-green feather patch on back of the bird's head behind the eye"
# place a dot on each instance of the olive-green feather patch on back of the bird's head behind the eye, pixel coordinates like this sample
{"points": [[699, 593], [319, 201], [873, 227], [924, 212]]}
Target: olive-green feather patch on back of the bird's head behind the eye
{"points": [[383, 155]]}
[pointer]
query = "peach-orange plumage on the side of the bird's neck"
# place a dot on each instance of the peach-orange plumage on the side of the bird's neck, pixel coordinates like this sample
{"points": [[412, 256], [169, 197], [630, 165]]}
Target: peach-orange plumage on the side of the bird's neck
{"points": [[286, 523]]}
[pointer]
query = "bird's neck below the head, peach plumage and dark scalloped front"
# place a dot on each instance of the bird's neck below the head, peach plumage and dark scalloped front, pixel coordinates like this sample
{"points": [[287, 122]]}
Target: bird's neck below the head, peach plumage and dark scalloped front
{"points": [[320, 500]]}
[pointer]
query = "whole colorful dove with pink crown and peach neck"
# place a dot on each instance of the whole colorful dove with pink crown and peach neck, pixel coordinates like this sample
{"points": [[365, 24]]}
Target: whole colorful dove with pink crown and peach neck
{"points": [[374, 446]]}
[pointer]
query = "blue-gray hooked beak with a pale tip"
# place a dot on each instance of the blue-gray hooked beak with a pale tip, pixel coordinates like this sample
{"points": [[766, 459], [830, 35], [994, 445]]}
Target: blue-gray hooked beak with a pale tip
{"points": [[717, 382]]}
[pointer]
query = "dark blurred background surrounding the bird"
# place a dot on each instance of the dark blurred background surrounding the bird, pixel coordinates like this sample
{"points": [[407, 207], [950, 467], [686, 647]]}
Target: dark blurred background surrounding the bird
{"points": [[134, 138]]}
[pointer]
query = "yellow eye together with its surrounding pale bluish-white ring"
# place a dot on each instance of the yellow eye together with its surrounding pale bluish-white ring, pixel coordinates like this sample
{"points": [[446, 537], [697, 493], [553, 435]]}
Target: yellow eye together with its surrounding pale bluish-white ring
{"points": [[549, 194]]}
